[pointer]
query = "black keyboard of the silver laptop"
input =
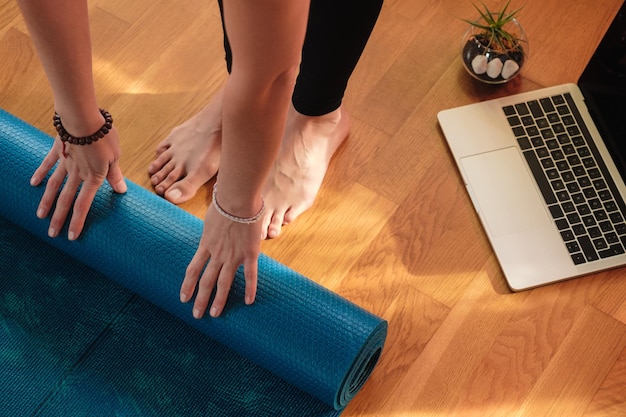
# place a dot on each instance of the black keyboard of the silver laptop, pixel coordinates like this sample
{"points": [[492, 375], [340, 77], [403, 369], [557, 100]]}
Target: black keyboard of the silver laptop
{"points": [[575, 184]]}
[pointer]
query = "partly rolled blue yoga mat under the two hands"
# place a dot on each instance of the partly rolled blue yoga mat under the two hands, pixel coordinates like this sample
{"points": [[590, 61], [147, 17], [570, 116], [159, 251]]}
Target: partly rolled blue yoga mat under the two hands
{"points": [[95, 328]]}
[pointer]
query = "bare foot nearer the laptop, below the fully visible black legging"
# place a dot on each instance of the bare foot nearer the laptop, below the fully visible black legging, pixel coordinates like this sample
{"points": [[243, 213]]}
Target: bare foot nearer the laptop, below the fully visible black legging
{"points": [[297, 174]]}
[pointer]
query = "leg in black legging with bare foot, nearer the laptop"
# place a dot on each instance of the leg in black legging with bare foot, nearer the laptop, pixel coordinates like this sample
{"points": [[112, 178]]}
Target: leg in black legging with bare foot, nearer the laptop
{"points": [[337, 33]]}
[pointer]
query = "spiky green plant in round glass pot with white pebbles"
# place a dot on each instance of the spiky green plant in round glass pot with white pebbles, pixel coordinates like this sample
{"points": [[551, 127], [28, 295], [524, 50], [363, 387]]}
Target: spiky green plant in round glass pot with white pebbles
{"points": [[495, 47]]}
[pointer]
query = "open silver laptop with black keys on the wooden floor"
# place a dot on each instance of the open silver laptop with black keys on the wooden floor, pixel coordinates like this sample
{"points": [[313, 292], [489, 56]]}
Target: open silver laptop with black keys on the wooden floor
{"points": [[546, 170]]}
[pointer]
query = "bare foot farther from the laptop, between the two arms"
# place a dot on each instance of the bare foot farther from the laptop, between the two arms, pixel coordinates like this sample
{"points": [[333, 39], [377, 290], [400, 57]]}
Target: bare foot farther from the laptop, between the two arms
{"points": [[190, 155]]}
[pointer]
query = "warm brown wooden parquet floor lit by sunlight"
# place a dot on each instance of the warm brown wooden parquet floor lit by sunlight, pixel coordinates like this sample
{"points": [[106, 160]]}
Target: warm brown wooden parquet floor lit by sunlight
{"points": [[393, 229]]}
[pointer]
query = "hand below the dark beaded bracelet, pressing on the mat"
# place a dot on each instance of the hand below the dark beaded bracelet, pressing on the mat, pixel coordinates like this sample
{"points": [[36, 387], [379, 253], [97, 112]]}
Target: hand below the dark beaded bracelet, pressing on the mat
{"points": [[88, 165]]}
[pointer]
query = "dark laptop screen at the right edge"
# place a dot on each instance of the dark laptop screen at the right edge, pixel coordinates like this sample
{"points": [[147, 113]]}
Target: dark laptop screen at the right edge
{"points": [[603, 84]]}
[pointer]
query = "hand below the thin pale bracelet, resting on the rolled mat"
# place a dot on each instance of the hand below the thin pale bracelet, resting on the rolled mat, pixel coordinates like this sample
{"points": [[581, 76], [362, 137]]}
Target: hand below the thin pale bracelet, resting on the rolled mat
{"points": [[228, 244]]}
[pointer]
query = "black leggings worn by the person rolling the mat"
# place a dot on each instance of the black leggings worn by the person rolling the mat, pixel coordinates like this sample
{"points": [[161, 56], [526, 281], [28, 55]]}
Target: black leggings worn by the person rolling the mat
{"points": [[336, 34]]}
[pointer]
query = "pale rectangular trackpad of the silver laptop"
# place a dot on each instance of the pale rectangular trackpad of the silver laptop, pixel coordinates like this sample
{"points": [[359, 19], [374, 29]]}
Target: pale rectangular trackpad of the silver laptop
{"points": [[504, 192]]}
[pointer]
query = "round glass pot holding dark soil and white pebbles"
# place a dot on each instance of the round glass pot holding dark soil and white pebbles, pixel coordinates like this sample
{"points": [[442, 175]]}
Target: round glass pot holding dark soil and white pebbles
{"points": [[490, 61]]}
